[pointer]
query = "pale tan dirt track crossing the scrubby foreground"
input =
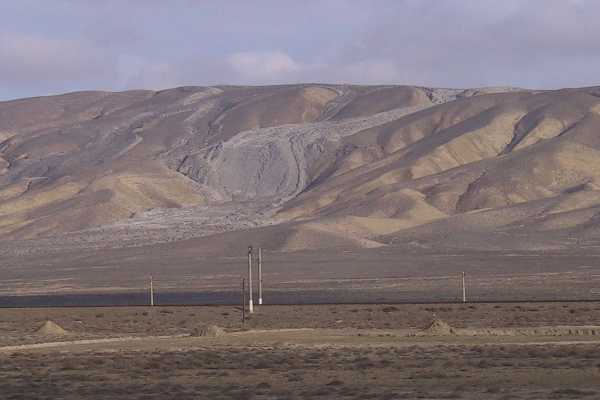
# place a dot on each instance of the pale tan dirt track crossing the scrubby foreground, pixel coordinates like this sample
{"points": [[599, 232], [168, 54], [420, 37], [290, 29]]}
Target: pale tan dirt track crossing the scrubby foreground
{"points": [[308, 338]]}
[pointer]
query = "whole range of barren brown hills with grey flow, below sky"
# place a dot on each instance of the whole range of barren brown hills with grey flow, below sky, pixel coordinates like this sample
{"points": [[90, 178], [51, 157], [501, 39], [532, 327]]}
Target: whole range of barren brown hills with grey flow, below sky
{"points": [[301, 167]]}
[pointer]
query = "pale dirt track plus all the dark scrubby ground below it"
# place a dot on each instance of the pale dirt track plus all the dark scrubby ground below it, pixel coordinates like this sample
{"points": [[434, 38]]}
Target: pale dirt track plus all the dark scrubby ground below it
{"points": [[305, 364]]}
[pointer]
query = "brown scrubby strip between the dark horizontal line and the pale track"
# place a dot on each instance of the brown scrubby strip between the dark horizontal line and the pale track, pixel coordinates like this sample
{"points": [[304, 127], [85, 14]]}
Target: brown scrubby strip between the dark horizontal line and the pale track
{"points": [[19, 325]]}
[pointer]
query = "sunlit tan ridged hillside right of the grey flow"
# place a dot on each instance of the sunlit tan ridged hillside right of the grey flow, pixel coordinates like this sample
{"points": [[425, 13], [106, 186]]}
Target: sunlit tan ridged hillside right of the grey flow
{"points": [[467, 164]]}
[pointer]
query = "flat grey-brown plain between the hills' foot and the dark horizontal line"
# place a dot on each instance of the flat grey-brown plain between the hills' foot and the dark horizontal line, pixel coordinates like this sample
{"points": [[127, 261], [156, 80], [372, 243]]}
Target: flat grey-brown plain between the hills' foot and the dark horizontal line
{"points": [[385, 275]]}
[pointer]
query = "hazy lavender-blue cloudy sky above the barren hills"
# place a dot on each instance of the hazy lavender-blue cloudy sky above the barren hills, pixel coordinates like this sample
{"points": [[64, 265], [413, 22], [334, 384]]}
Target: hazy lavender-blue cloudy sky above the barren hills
{"points": [[57, 46]]}
